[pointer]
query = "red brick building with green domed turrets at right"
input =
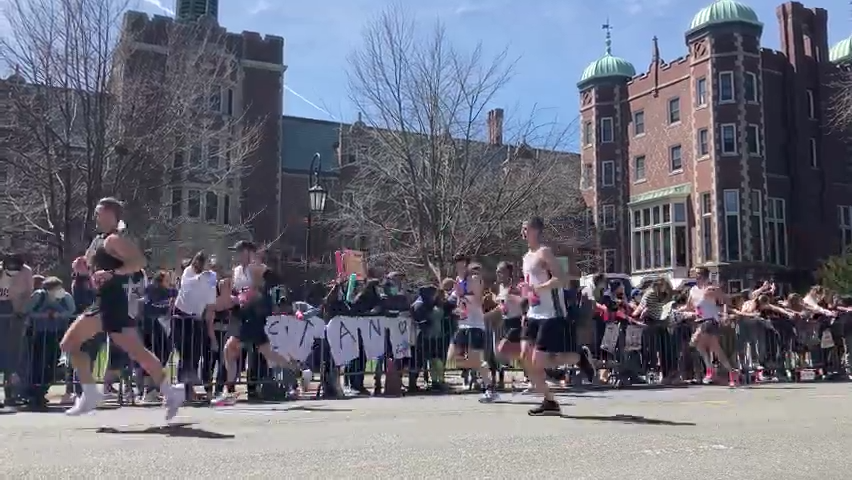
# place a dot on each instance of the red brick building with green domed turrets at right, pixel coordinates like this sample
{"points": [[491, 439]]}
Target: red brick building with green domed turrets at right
{"points": [[721, 157]]}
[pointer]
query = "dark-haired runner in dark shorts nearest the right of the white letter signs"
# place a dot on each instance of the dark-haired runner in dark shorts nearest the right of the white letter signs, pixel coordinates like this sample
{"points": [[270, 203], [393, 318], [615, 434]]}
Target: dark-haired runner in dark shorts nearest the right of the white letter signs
{"points": [[467, 348]]}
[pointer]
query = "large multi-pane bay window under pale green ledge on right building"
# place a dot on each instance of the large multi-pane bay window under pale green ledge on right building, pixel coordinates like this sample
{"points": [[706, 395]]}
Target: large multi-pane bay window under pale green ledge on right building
{"points": [[659, 237]]}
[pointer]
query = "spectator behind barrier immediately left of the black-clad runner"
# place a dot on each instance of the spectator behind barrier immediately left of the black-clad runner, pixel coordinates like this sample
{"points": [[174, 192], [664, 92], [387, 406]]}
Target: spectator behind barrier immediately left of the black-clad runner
{"points": [[49, 313]]}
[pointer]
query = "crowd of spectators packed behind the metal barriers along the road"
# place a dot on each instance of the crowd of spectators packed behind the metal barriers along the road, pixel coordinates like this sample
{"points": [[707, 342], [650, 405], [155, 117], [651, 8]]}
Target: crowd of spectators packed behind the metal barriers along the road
{"points": [[637, 336]]}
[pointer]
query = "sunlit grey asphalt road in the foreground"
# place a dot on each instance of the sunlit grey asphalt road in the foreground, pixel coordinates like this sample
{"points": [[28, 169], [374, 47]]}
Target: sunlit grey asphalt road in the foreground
{"points": [[801, 431]]}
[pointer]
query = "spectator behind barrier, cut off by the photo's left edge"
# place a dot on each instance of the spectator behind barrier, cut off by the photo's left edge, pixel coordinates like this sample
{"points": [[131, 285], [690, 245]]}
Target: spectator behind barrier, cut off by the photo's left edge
{"points": [[16, 287]]}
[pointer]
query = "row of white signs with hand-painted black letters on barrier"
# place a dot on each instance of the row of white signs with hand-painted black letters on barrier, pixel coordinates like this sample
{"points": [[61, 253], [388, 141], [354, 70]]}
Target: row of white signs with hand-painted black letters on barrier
{"points": [[294, 337]]}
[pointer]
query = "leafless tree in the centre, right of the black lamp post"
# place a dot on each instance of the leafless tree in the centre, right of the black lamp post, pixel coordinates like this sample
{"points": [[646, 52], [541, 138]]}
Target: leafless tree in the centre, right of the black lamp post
{"points": [[421, 179]]}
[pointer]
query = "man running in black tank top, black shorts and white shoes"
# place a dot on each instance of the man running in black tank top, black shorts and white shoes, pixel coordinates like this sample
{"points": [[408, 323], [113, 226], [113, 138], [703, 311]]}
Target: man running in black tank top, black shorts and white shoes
{"points": [[114, 259]]}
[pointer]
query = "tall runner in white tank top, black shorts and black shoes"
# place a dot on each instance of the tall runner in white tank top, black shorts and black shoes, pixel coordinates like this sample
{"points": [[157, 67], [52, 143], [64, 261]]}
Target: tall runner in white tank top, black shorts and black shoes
{"points": [[547, 337]]}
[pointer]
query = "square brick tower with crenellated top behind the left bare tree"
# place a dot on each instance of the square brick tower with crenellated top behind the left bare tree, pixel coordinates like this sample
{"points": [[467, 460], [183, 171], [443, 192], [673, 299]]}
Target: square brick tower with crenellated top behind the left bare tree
{"points": [[214, 214]]}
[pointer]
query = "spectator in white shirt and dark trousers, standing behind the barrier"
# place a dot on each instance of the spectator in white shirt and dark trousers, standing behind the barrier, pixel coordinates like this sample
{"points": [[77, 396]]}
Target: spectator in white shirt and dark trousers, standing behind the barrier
{"points": [[194, 335]]}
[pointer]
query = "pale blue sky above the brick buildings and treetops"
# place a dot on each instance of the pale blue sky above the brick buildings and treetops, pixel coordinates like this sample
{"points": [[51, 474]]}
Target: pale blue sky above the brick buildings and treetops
{"points": [[553, 39]]}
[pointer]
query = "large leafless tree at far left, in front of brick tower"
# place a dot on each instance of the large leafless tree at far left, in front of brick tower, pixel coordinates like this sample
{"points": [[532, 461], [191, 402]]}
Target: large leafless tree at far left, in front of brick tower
{"points": [[103, 104]]}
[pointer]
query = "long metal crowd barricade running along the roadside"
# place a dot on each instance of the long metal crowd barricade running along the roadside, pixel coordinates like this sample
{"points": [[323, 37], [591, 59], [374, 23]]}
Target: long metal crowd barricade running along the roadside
{"points": [[348, 355]]}
